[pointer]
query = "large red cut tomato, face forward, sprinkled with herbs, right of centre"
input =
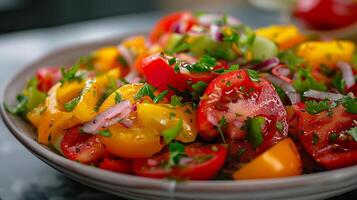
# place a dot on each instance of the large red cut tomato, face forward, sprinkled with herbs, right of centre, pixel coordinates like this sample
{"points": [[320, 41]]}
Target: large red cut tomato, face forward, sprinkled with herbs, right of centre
{"points": [[236, 97]]}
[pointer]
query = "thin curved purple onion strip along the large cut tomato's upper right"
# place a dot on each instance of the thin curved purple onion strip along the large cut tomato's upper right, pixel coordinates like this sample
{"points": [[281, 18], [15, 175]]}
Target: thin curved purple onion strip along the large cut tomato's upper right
{"points": [[288, 89]]}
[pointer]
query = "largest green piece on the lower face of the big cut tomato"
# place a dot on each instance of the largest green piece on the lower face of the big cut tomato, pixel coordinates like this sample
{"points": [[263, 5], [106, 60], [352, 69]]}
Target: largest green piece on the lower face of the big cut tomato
{"points": [[254, 126]]}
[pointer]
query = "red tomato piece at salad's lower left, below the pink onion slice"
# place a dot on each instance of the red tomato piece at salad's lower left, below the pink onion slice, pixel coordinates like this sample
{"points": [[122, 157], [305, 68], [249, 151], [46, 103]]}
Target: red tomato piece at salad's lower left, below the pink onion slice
{"points": [[81, 147]]}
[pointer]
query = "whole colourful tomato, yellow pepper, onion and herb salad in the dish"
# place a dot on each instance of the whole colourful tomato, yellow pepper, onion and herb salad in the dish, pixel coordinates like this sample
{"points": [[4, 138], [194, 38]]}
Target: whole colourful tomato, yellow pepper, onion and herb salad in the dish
{"points": [[202, 97]]}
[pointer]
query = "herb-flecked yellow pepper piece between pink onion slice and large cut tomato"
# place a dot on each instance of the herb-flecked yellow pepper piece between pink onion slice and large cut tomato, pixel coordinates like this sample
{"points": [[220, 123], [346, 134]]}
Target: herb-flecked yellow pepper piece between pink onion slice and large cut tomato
{"points": [[164, 116]]}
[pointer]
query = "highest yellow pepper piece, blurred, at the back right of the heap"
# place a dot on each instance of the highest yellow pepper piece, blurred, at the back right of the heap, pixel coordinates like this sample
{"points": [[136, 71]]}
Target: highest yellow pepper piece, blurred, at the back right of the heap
{"points": [[285, 36]]}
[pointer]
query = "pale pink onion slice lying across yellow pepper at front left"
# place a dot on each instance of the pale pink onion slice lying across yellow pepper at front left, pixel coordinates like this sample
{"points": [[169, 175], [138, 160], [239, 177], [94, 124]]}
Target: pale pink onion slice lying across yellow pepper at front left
{"points": [[111, 116]]}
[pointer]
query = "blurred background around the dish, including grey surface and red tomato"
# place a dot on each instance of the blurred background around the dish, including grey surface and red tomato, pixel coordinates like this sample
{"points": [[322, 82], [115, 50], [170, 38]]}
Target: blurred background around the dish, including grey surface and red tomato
{"points": [[31, 28]]}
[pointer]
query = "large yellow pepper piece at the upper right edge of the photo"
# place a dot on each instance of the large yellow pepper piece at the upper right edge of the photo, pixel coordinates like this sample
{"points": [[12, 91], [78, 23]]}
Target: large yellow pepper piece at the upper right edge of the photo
{"points": [[318, 53]]}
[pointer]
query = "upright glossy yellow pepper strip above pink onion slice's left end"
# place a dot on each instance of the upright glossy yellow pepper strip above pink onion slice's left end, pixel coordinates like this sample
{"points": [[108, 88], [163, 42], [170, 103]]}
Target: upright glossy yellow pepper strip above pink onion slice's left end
{"points": [[85, 109]]}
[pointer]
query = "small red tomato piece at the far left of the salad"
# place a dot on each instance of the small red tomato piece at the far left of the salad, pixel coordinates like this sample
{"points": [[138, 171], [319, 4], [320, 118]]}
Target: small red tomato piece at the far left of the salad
{"points": [[47, 77]]}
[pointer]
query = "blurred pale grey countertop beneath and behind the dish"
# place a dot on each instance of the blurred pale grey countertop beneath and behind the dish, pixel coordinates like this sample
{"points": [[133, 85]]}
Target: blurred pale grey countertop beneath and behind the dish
{"points": [[22, 175]]}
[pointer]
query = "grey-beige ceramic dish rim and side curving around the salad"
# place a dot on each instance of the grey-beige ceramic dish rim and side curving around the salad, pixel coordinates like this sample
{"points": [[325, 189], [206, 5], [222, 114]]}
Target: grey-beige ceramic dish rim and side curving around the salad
{"points": [[313, 186]]}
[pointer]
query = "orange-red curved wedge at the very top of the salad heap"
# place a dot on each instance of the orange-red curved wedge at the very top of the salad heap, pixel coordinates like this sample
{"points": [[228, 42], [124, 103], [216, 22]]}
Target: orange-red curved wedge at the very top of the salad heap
{"points": [[179, 20]]}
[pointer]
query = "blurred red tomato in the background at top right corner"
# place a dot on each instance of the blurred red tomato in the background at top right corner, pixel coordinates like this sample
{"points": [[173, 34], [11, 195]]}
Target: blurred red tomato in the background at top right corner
{"points": [[326, 14]]}
